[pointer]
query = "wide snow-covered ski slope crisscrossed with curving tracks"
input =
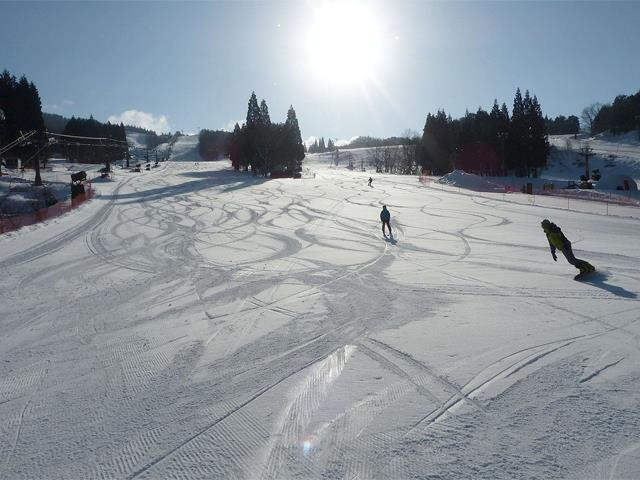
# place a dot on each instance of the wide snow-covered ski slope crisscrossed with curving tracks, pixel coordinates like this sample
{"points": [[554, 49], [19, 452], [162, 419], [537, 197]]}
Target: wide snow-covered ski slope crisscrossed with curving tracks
{"points": [[194, 322]]}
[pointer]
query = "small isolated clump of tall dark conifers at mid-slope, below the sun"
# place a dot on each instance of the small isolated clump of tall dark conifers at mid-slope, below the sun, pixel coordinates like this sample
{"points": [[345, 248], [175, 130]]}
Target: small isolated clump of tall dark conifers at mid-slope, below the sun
{"points": [[267, 148]]}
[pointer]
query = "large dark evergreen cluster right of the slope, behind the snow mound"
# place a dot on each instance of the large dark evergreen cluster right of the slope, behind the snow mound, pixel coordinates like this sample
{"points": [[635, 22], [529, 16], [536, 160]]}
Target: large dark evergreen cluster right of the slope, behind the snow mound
{"points": [[487, 143]]}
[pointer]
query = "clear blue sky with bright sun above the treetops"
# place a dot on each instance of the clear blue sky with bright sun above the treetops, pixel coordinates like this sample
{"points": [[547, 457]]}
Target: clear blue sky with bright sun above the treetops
{"points": [[192, 65]]}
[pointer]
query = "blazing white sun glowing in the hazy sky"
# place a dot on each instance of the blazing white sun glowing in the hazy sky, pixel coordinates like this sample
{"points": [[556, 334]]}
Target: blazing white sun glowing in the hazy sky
{"points": [[344, 43]]}
